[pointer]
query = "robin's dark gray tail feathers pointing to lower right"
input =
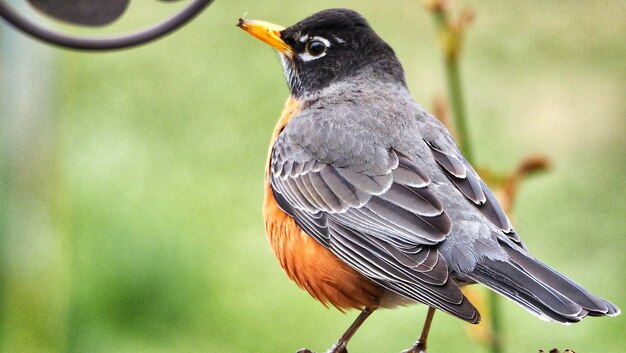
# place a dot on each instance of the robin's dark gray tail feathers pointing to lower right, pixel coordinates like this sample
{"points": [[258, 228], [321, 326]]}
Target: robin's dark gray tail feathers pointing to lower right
{"points": [[540, 289]]}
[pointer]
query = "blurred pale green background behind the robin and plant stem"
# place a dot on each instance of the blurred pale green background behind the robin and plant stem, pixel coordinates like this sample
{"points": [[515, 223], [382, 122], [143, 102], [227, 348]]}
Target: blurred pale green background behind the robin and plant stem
{"points": [[131, 181]]}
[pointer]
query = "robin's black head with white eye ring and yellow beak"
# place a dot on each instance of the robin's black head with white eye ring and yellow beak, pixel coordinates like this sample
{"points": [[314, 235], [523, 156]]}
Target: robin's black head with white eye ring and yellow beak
{"points": [[329, 46]]}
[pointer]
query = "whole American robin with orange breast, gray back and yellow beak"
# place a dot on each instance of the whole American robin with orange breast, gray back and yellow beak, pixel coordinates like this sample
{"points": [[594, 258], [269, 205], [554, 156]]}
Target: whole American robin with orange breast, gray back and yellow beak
{"points": [[368, 201]]}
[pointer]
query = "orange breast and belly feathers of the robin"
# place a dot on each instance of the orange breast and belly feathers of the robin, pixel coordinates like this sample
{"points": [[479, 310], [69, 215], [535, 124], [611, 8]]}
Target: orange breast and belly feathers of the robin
{"points": [[312, 266]]}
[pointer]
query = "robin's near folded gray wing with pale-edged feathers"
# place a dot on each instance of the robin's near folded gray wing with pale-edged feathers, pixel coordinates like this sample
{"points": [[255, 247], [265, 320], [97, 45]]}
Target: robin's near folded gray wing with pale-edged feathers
{"points": [[377, 213]]}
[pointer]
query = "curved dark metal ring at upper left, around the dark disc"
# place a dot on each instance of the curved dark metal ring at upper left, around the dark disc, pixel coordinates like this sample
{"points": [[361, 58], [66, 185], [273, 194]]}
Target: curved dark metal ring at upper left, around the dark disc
{"points": [[102, 43]]}
